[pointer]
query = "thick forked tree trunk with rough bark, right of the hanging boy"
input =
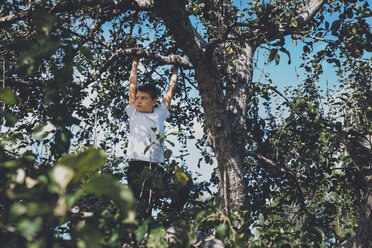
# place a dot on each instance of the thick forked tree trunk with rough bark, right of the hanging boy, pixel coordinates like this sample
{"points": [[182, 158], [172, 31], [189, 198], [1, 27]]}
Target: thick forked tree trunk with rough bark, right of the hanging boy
{"points": [[224, 114]]}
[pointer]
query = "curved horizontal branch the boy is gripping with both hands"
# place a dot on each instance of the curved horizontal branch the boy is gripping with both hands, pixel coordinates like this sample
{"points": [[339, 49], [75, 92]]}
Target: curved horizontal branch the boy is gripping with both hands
{"points": [[133, 51]]}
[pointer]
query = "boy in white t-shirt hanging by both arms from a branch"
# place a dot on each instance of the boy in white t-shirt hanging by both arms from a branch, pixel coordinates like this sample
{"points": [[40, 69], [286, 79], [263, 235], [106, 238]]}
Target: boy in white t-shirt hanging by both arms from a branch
{"points": [[146, 121]]}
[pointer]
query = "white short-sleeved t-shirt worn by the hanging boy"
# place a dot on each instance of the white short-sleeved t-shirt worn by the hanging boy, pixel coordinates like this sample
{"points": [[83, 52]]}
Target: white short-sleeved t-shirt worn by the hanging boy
{"points": [[143, 130]]}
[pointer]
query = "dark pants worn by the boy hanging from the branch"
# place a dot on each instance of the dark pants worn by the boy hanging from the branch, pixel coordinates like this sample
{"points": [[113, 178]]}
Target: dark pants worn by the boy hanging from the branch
{"points": [[140, 181]]}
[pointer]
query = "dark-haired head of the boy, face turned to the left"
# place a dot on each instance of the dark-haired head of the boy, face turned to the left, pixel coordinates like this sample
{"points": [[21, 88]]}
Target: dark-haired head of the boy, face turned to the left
{"points": [[146, 98]]}
